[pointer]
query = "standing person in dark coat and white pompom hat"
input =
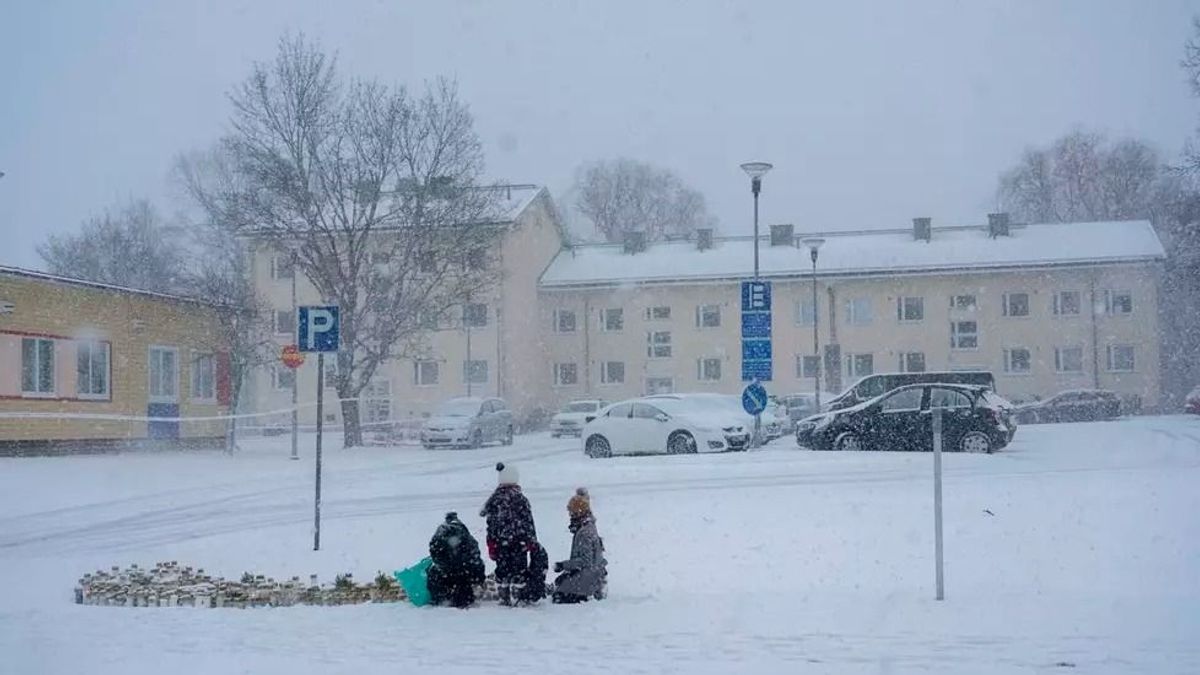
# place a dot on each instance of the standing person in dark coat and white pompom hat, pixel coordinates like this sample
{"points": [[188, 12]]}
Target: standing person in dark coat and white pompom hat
{"points": [[512, 535]]}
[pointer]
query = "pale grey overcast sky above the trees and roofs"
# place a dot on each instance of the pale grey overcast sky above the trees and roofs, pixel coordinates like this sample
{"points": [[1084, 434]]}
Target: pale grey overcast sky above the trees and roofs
{"points": [[872, 112]]}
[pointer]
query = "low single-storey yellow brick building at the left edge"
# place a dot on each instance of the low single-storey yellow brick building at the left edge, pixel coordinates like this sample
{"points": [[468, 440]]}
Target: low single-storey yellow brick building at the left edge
{"points": [[85, 366]]}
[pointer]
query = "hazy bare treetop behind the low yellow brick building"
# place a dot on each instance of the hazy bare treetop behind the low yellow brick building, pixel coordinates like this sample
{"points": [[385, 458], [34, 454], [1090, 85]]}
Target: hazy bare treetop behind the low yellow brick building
{"points": [[105, 247]]}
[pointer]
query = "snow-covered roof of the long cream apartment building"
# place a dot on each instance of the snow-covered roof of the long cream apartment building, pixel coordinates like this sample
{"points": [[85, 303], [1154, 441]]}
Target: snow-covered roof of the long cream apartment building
{"points": [[865, 253]]}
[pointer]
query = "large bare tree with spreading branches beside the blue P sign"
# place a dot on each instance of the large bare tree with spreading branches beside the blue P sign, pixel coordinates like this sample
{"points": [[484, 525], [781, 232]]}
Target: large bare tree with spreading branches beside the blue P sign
{"points": [[376, 192]]}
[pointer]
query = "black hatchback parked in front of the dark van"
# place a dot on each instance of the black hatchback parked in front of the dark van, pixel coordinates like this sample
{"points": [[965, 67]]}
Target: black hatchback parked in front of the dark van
{"points": [[975, 420]]}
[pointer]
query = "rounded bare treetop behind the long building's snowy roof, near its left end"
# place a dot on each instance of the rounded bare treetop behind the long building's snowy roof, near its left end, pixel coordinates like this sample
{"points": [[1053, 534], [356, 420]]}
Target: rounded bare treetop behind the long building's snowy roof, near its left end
{"points": [[625, 195]]}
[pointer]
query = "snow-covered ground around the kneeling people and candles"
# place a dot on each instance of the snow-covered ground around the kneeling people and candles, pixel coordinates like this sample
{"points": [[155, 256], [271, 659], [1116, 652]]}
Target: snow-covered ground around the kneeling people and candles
{"points": [[1077, 549]]}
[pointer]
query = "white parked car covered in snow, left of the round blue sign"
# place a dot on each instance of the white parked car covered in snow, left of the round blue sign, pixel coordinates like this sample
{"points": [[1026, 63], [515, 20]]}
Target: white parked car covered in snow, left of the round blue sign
{"points": [[667, 423]]}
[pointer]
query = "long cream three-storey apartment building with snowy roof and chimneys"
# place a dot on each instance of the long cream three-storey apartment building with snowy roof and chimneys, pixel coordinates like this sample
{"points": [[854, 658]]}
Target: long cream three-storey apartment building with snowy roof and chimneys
{"points": [[1045, 307]]}
